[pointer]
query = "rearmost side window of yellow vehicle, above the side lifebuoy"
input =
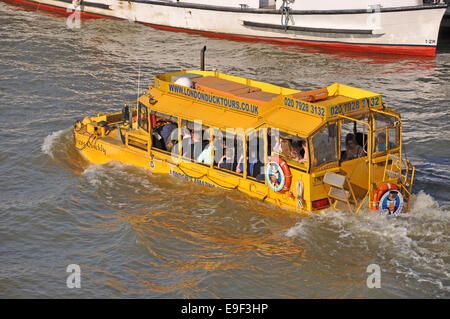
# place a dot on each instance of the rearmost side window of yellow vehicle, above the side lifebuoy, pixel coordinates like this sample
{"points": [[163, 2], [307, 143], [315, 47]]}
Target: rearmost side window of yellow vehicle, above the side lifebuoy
{"points": [[290, 147]]}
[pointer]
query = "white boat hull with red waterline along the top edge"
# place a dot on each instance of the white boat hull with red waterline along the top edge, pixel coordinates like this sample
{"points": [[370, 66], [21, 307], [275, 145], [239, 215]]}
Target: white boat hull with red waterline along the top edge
{"points": [[381, 26]]}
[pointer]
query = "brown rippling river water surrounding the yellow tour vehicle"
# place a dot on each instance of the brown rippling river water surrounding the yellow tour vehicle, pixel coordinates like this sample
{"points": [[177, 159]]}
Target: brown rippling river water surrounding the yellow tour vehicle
{"points": [[135, 234]]}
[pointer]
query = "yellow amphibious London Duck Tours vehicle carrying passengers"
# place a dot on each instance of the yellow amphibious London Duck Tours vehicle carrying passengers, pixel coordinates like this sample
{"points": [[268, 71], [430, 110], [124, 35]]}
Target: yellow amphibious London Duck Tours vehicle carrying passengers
{"points": [[338, 146]]}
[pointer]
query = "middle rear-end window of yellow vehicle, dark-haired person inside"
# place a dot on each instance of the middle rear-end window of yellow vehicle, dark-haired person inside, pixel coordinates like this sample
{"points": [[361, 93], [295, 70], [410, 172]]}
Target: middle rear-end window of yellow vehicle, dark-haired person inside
{"points": [[353, 140]]}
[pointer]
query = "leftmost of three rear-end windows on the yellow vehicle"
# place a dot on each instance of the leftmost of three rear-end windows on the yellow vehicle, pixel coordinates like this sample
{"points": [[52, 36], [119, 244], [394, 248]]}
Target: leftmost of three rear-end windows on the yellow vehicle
{"points": [[325, 145]]}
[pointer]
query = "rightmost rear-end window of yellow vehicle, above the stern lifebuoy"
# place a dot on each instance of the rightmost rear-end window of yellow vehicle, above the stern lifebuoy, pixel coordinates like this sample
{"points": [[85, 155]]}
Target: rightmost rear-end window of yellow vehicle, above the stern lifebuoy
{"points": [[387, 132]]}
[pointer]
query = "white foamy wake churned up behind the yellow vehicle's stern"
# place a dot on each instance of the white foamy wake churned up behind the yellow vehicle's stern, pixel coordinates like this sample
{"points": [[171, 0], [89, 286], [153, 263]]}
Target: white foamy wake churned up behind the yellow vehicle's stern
{"points": [[416, 244]]}
